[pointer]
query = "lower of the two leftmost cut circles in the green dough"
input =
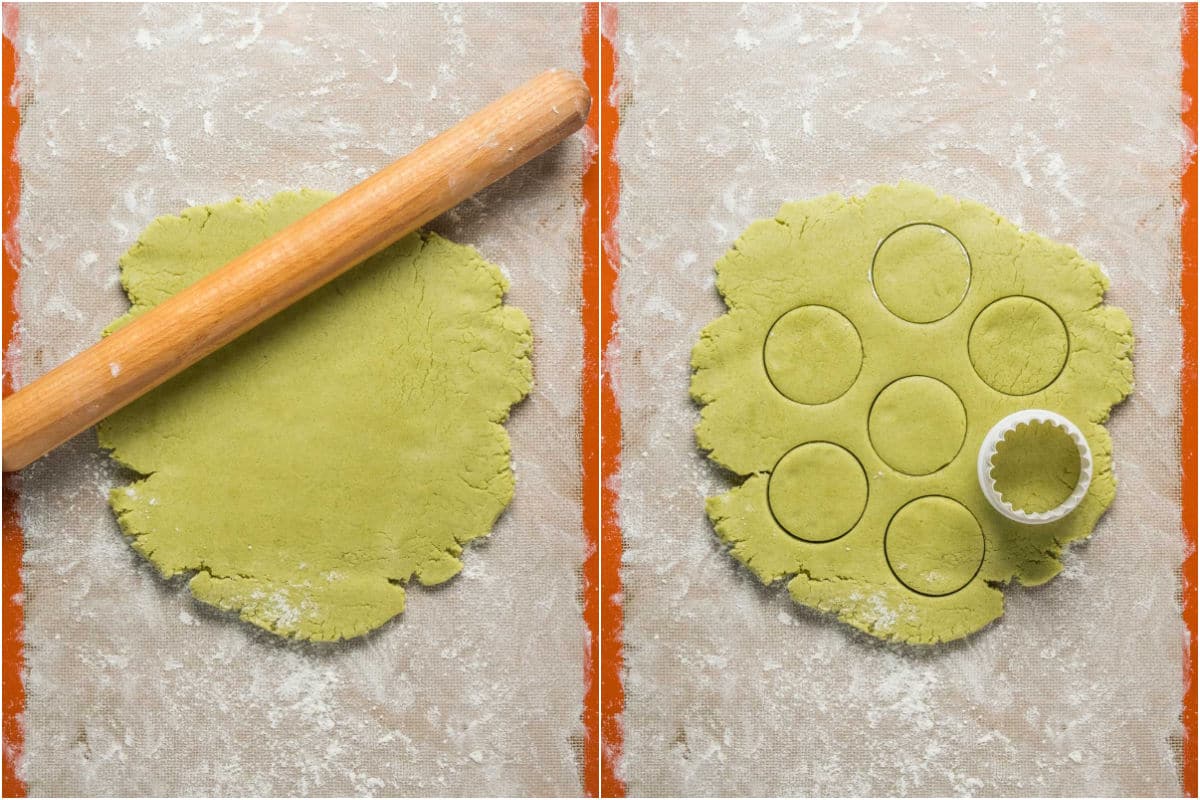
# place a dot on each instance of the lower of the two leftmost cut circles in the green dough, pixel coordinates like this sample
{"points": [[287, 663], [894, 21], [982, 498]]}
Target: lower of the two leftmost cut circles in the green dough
{"points": [[818, 492]]}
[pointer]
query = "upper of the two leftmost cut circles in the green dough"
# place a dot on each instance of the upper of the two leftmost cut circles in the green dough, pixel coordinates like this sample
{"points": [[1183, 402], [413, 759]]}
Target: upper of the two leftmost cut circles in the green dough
{"points": [[813, 356]]}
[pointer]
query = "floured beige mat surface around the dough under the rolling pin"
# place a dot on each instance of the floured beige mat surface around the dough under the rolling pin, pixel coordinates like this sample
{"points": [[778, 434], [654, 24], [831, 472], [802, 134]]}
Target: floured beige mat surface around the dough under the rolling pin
{"points": [[133, 112]]}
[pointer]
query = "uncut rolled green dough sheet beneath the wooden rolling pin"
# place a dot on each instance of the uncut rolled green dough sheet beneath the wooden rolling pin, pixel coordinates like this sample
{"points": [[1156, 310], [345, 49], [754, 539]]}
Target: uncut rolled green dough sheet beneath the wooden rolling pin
{"points": [[307, 472]]}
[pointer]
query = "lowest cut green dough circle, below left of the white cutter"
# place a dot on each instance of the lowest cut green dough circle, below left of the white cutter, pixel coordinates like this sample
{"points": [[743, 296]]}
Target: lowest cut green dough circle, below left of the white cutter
{"points": [[934, 546]]}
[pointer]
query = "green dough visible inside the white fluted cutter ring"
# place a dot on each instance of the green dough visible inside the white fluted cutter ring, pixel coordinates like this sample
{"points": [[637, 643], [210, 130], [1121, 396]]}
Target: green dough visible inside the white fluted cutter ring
{"points": [[1036, 467]]}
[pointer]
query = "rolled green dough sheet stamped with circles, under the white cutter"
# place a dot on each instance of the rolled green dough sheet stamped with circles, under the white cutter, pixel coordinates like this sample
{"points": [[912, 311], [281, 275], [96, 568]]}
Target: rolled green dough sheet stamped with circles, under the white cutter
{"points": [[869, 346]]}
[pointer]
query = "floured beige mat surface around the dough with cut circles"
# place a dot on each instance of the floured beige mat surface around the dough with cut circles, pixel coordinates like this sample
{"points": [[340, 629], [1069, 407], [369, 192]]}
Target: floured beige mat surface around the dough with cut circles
{"points": [[1065, 119]]}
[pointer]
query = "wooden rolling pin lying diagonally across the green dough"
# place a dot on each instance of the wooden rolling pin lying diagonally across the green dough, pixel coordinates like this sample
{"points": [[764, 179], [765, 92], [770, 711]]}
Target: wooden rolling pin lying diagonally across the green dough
{"points": [[290, 266]]}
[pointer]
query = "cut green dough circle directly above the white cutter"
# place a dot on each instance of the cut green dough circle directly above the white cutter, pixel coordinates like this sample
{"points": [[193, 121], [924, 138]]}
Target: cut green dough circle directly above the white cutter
{"points": [[1018, 346]]}
